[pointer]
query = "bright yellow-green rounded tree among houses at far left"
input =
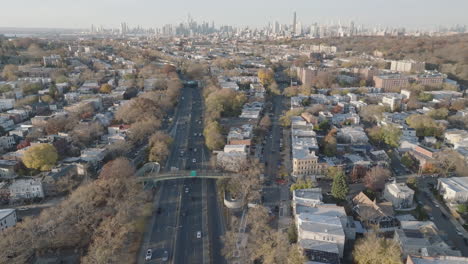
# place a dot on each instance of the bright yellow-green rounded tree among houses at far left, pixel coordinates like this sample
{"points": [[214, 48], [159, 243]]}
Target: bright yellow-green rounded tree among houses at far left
{"points": [[41, 157]]}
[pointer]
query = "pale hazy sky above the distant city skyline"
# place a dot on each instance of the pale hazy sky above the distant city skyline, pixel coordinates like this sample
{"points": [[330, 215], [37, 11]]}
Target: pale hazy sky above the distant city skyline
{"points": [[152, 13]]}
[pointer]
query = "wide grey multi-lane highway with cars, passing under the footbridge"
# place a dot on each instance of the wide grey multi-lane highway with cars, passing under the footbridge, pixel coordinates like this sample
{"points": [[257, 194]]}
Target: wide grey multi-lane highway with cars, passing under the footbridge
{"points": [[187, 221]]}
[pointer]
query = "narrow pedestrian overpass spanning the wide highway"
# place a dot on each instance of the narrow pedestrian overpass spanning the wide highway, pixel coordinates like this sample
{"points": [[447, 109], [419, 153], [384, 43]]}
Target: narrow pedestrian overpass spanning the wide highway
{"points": [[152, 178]]}
